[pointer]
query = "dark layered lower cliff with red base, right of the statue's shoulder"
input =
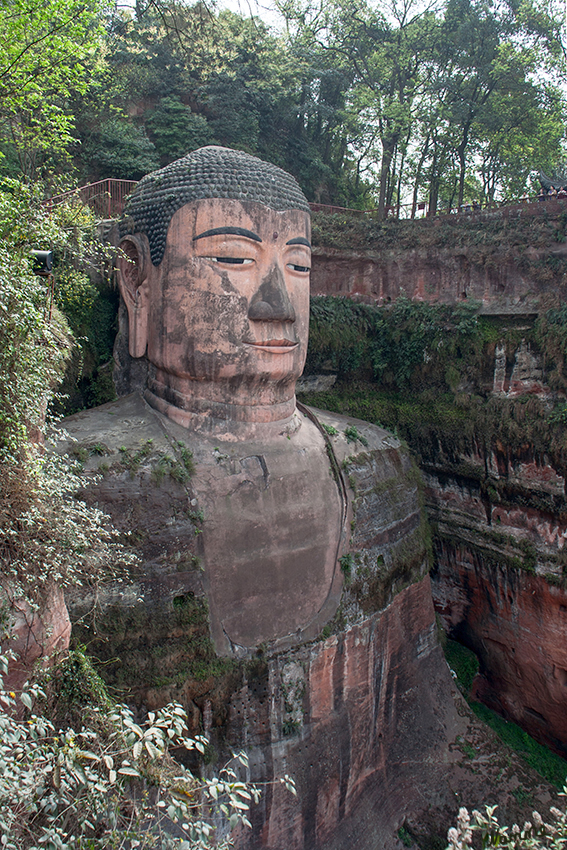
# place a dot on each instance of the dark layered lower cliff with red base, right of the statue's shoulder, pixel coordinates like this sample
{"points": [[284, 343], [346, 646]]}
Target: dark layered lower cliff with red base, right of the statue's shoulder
{"points": [[500, 526]]}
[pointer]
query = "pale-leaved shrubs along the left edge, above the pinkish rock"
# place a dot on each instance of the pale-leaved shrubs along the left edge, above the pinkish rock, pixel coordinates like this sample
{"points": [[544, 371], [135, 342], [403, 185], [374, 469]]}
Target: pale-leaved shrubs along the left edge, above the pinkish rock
{"points": [[45, 535]]}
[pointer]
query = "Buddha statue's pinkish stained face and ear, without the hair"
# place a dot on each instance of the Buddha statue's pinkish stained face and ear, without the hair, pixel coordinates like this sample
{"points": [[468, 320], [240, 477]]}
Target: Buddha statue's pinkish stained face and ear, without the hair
{"points": [[229, 303]]}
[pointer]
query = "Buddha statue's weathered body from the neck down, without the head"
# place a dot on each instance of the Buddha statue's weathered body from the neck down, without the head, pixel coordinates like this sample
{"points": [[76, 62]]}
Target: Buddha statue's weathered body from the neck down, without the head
{"points": [[323, 666]]}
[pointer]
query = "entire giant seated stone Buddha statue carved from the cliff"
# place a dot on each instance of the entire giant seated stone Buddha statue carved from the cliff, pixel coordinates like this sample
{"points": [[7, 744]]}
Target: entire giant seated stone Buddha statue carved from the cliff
{"points": [[240, 504]]}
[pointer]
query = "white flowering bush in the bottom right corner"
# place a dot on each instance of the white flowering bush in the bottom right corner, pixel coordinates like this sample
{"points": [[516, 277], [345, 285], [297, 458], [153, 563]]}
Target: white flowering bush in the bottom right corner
{"points": [[484, 830]]}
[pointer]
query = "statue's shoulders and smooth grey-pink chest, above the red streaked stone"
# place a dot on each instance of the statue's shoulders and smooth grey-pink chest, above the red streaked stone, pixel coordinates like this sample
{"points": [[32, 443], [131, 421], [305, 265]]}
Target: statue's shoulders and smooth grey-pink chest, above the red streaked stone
{"points": [[259, 528]]}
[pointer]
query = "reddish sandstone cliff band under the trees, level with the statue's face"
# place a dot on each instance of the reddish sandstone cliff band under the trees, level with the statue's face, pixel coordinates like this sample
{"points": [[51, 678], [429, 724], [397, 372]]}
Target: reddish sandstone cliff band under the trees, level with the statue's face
{"points": [[492, 266]]}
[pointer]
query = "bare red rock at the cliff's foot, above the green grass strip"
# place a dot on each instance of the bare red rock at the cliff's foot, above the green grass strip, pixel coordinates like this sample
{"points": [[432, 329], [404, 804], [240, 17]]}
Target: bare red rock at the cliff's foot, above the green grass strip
{"points": [[517, 625]]}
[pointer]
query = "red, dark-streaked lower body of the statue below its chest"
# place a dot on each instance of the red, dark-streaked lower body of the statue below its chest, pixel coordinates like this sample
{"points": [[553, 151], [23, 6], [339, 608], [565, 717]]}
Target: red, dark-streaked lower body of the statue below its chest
{"points": [[371, 746]]}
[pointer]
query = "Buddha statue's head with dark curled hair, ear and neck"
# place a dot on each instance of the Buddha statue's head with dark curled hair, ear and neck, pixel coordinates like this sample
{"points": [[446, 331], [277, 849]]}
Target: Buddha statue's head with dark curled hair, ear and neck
{"points": [[214, 272]]}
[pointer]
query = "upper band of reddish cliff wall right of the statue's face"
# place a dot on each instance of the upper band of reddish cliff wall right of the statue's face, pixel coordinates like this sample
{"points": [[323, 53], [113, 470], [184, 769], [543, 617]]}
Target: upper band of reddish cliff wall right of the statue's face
{"points": [[500, 278]]}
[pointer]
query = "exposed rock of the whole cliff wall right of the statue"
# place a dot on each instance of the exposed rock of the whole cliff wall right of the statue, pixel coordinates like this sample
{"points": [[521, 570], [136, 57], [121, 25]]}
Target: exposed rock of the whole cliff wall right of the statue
{"points": [[498, 507]]}
